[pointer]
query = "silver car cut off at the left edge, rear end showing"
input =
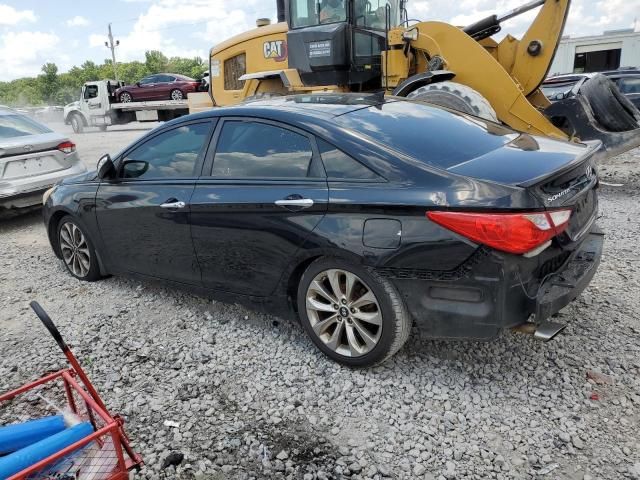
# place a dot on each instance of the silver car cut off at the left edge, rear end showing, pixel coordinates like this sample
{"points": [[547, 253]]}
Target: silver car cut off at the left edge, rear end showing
{"points": [[32, 159]]}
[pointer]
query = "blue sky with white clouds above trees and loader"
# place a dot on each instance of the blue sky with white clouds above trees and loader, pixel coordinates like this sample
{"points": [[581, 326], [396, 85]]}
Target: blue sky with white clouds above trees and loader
{"points": [[66, 32]]}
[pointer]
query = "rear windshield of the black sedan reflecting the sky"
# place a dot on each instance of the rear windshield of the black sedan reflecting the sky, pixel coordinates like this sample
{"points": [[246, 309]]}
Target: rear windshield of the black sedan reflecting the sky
{"points": [[426, 132]]}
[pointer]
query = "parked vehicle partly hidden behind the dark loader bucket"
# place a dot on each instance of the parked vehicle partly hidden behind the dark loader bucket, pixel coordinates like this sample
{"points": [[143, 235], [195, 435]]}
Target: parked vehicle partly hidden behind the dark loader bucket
{"points": [[560, 87]]}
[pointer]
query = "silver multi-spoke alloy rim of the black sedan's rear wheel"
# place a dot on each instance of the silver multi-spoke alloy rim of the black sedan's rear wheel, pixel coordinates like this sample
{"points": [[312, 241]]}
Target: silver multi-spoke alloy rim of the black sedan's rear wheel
{"points": [[344, 312]]}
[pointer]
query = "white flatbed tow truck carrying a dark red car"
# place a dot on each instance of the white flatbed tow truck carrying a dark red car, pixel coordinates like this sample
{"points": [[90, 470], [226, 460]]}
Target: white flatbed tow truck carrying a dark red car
{"points": [[98, 107]]}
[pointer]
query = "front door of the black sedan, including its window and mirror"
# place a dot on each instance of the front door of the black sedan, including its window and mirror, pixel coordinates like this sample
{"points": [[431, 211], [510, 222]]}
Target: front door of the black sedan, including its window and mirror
{"points": [[143, 214]]}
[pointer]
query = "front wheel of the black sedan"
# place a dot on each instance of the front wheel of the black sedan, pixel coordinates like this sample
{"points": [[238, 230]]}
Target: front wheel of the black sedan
{"points": [[78, 253]]}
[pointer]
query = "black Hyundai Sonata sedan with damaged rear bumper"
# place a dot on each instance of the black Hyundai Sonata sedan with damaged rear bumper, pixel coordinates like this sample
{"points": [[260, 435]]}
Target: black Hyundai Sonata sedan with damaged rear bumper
{"points": [[357, 214]]}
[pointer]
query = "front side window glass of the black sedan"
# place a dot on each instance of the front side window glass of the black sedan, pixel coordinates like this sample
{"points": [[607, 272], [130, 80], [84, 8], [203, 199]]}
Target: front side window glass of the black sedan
{"points": [[172, 154]]}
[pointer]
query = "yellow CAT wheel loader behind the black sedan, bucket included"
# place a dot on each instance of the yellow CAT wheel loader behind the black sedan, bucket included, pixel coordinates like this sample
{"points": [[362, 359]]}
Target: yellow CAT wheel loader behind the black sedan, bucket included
{"points": [[371, 45]]}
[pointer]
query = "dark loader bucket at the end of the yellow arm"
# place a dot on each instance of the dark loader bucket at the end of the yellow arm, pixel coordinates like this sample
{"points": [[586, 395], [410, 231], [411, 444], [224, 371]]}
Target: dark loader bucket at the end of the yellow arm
{"points": [[598, 112]]}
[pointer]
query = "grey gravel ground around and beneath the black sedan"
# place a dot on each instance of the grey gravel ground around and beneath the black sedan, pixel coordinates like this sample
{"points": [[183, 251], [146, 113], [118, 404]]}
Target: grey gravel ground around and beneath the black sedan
{"points": [[252, 398]]}
